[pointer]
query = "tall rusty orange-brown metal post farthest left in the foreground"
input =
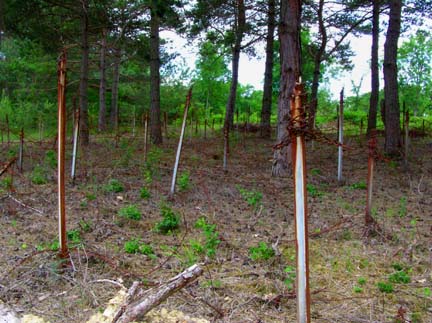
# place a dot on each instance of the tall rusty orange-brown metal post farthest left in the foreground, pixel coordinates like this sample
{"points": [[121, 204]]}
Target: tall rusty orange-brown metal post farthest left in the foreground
{"points": [[61, 155]]}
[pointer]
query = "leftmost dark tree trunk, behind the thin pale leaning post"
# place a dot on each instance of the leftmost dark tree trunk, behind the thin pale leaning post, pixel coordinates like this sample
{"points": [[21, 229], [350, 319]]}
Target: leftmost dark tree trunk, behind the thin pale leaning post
{"points": [[83, 89]]}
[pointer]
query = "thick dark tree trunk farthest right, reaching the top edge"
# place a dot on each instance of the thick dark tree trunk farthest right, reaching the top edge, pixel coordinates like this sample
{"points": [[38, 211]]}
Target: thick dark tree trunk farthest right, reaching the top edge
{"points": [[392, 129]]}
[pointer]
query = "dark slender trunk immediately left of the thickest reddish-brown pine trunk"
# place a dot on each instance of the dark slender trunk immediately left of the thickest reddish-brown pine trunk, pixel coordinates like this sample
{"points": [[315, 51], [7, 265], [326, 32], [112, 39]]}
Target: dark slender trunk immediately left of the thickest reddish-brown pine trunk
{"points": [[268, 74]]}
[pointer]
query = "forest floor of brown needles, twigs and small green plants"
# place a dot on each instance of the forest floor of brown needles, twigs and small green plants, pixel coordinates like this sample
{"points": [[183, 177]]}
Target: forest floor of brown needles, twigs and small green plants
{"points": [[248, 255]]}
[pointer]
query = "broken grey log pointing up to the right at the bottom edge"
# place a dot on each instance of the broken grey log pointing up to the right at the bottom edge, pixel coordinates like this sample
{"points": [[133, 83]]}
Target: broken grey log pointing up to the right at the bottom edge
{"points": [[156, 296]]}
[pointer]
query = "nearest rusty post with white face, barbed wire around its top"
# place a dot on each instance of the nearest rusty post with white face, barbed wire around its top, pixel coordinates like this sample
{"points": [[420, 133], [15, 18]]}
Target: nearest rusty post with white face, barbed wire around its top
{"points": [[300, 194]]}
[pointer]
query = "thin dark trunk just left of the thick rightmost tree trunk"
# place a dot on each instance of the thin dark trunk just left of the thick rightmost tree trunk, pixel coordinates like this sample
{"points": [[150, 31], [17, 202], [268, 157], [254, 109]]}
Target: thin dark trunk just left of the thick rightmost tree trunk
{"points": [[373, 102]]}
